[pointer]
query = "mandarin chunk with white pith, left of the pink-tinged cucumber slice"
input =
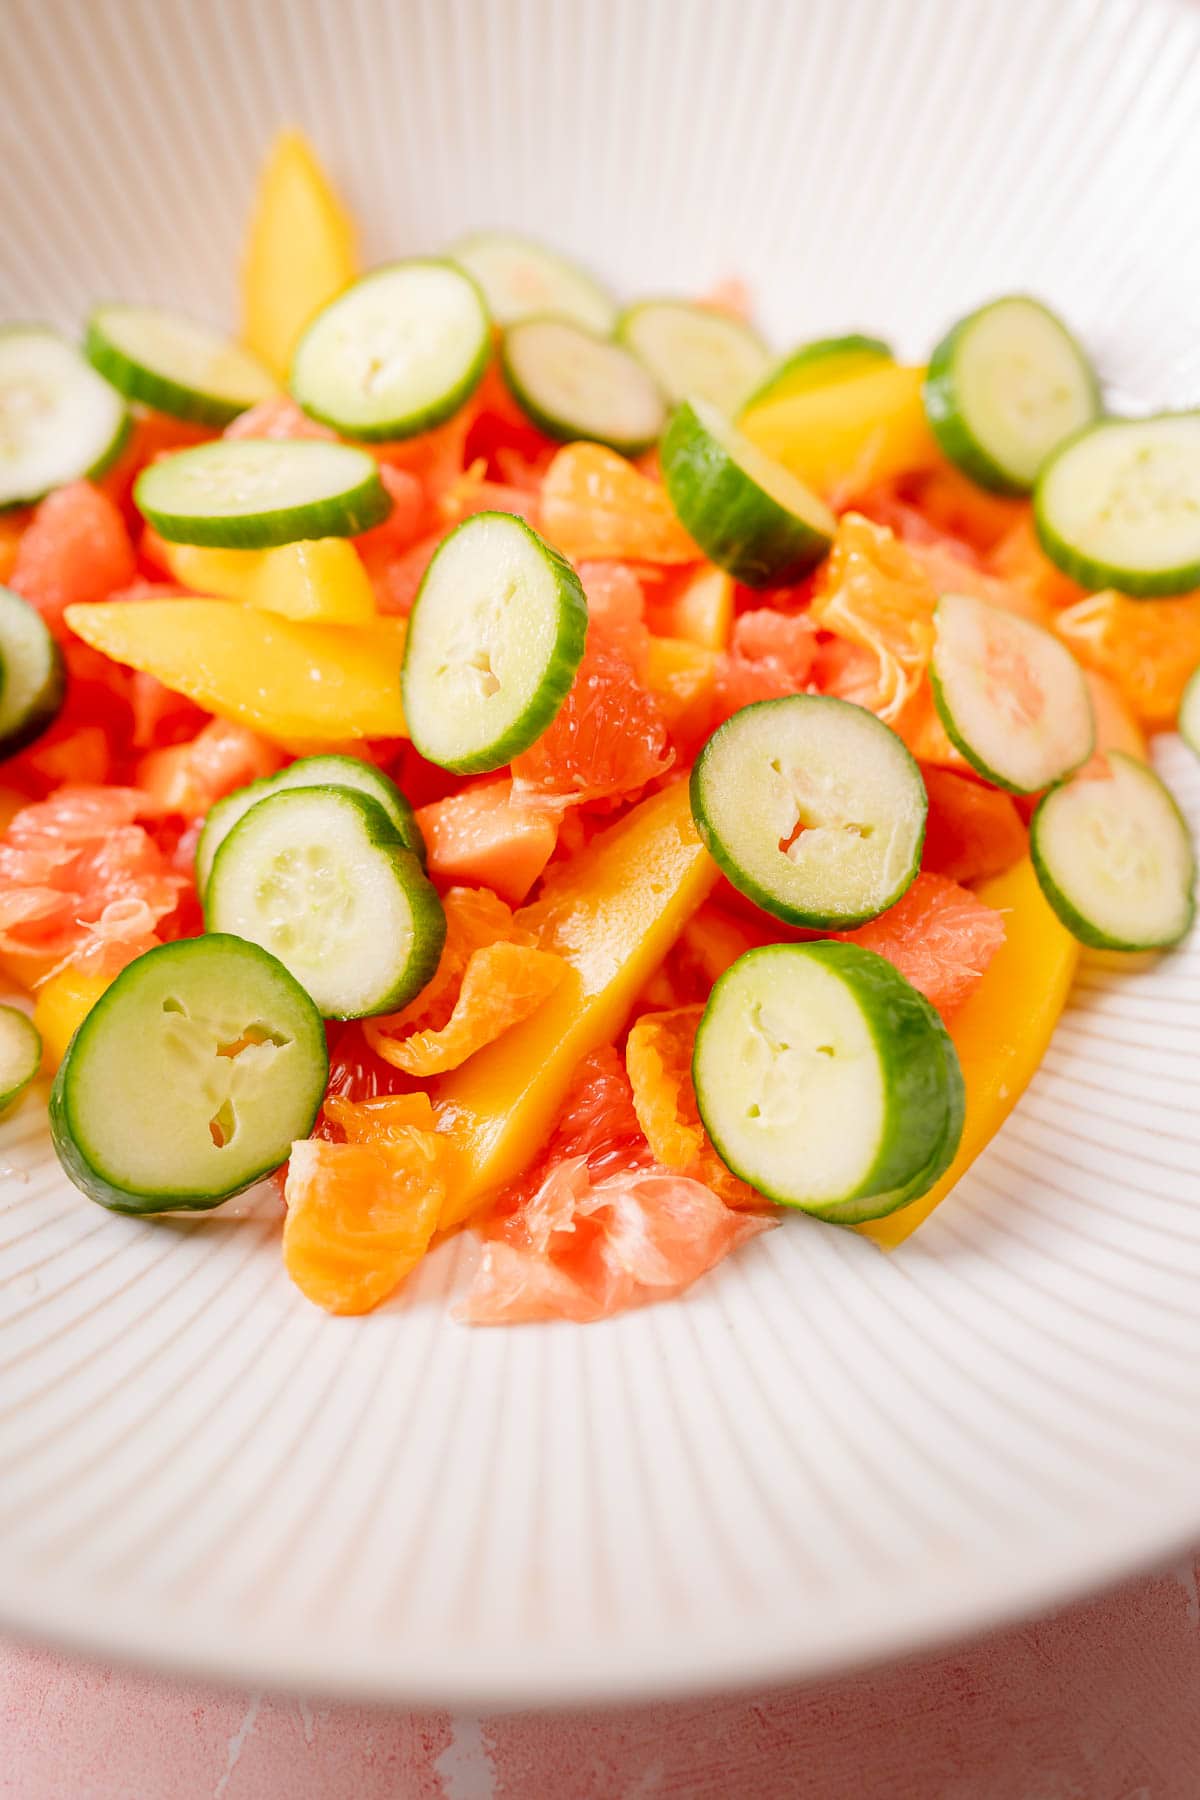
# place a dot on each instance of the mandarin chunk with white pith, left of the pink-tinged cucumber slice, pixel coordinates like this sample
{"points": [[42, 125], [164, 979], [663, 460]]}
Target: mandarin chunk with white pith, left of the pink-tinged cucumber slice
{"points": [[881, 600]]}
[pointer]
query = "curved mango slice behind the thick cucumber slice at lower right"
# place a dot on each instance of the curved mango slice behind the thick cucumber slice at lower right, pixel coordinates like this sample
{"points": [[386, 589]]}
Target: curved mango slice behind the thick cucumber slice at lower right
{"points": [[1001, 1032]]}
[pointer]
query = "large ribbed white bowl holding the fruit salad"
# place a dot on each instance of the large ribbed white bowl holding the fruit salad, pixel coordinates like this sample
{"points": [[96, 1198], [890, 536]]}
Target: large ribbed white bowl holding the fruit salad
{"points": [[821, 1453]]}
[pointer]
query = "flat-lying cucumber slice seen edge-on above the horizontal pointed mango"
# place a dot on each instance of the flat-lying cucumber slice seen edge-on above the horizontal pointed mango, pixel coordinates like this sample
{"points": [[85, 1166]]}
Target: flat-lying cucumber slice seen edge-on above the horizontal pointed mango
{"points": [[251, 494]]}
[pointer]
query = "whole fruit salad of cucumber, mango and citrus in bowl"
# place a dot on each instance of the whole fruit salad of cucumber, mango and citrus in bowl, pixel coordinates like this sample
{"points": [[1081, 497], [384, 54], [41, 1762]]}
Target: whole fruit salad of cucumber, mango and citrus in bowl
{"points": [[476, 755]]}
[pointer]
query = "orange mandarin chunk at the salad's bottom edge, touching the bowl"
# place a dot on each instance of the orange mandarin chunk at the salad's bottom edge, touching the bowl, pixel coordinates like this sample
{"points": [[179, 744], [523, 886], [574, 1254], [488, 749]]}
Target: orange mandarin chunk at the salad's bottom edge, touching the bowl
{"points": [[361, 1216]]}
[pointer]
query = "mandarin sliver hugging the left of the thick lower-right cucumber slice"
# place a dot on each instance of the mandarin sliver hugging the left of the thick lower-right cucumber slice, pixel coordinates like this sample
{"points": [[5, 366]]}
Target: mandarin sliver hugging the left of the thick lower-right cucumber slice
{"points": [[658, 1057]]}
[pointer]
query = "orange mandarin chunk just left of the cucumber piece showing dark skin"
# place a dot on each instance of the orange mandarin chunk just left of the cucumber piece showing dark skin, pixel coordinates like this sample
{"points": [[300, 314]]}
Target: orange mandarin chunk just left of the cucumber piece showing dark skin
{"points": [[598, 505]]}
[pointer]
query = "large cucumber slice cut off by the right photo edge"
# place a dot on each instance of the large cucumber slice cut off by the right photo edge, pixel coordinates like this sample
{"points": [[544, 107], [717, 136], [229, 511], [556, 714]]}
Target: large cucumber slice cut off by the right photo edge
{"points": [[1120, 505]]}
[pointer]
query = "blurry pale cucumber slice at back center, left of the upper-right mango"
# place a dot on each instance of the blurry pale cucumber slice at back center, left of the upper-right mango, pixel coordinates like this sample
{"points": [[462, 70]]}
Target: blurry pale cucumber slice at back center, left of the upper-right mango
{"points": [[695, 350]]}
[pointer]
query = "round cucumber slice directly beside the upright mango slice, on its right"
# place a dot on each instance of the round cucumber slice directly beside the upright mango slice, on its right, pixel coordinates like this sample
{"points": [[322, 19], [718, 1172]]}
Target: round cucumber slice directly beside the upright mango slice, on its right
{"points": [[397, 354]]}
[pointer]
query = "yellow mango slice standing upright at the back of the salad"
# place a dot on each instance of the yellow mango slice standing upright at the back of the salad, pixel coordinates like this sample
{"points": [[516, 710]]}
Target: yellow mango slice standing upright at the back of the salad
{"points": [[300, 253]]}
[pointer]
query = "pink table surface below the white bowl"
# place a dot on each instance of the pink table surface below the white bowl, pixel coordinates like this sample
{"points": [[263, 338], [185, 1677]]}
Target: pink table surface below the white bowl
{"points": [[1098, 1702]]}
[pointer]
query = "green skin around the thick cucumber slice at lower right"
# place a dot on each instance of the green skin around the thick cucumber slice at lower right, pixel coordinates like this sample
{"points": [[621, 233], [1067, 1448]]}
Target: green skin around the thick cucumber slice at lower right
{"points": [[904, 1025]]}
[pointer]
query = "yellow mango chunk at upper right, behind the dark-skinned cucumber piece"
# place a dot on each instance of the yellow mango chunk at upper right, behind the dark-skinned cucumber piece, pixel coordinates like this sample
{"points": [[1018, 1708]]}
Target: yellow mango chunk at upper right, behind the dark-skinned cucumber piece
{"points": [[848, 436]]}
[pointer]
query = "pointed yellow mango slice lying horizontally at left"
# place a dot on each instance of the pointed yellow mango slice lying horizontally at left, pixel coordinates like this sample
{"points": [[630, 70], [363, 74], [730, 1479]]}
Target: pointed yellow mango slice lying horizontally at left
{"points": [[291, 681]]}
